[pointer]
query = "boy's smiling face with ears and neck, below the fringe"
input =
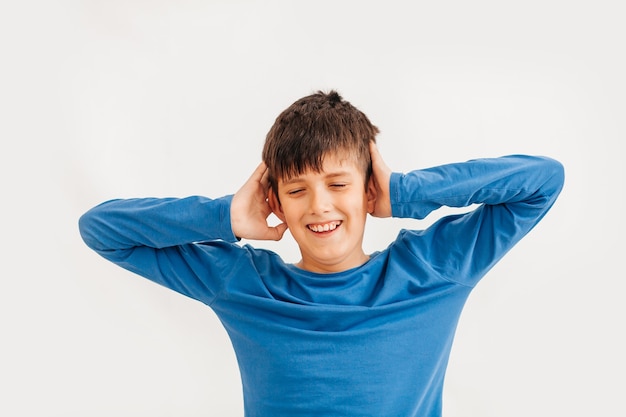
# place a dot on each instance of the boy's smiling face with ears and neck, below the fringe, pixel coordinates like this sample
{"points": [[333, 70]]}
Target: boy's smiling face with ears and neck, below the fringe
{"points": [[326, 213]]}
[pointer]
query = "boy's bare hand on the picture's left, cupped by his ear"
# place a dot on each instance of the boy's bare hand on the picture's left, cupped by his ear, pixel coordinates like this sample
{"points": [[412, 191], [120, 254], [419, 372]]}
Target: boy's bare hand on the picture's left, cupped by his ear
{"points": [[249, 209]]}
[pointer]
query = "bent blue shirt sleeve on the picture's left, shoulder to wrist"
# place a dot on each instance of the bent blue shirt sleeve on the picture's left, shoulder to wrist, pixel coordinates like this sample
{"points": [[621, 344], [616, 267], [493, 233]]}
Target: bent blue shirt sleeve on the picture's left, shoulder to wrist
{"points": [[185, 244]]}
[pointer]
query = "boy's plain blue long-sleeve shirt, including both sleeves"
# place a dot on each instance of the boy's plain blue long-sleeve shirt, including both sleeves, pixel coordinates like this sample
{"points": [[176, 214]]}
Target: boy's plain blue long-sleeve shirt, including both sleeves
{"points": [[369, 341]]}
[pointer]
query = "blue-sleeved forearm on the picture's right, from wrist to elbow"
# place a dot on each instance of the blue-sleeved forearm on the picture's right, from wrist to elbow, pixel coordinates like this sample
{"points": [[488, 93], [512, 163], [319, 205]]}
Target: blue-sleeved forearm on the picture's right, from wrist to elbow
{"points": [[529, 185]]}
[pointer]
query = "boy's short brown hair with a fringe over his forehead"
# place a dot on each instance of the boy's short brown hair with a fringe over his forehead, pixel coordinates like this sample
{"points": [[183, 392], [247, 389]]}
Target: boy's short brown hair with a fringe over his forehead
{"points": [[313, 127]]}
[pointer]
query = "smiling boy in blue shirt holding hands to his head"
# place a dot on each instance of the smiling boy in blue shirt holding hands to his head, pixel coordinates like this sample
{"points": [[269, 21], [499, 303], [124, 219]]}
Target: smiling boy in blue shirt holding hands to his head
{"points": [[341, 332]]}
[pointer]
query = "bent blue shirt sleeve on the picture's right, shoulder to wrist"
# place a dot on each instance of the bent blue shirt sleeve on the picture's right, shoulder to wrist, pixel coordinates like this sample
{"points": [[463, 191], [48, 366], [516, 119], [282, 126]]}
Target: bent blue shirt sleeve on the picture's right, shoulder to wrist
{"points": [[513, 194]]}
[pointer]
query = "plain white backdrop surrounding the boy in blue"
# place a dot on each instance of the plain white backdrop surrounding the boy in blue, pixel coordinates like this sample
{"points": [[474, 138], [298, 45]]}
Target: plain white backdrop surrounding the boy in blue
{"points": [[105, 99]]}
